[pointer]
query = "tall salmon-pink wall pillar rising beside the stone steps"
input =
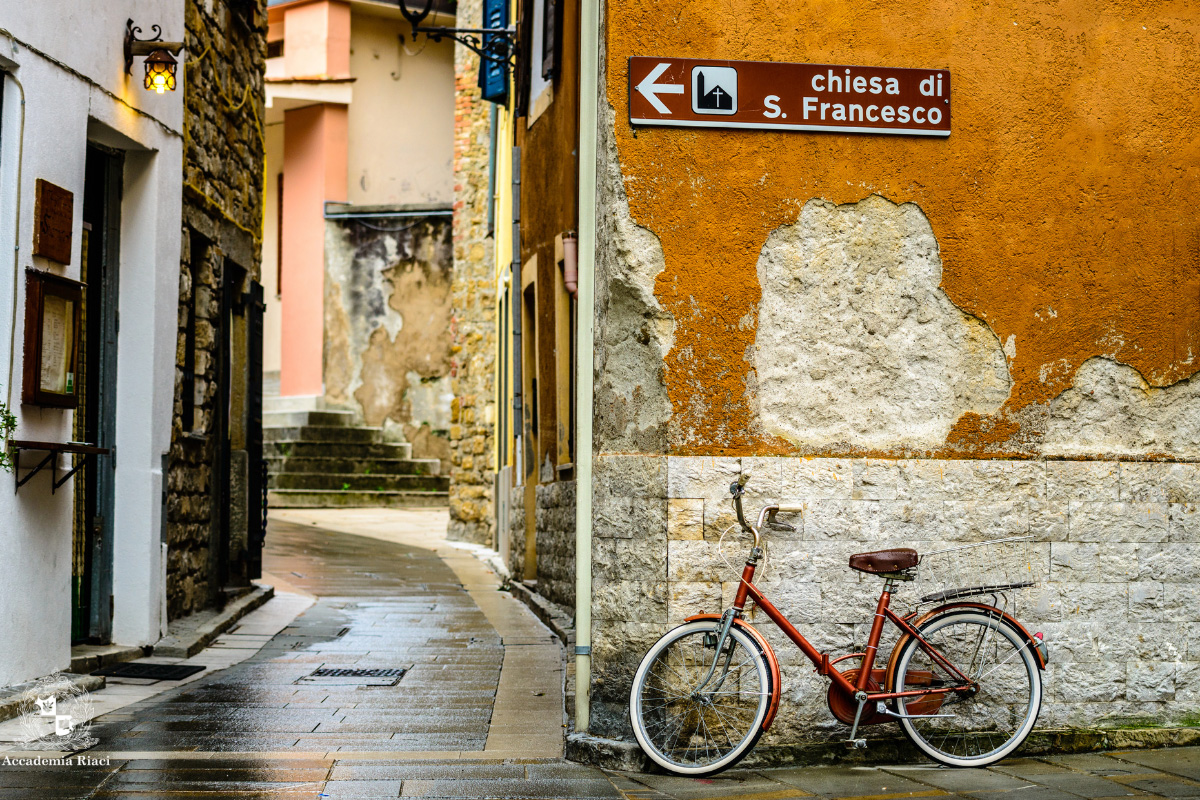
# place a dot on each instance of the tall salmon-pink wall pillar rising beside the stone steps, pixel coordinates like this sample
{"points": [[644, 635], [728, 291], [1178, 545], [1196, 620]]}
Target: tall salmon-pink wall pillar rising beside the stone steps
{"points": [[315, 171]]}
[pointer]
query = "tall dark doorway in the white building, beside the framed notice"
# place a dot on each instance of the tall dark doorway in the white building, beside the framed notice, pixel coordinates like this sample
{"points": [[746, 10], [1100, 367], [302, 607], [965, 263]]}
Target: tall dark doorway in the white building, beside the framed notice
{"points": [[92, 612]]}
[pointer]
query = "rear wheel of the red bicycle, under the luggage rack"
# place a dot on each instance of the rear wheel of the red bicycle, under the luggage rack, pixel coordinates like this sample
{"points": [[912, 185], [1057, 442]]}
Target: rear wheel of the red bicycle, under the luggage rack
{"points": [[970, 730]]}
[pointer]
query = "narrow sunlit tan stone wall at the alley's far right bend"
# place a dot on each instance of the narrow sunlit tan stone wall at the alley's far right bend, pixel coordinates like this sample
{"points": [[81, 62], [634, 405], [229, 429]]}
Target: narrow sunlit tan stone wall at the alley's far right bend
{"points": [[473, 299]]}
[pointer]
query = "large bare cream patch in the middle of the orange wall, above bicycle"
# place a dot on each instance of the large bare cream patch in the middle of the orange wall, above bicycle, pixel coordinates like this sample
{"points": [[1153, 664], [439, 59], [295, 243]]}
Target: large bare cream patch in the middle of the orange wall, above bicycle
{"points": [[857, 345]]}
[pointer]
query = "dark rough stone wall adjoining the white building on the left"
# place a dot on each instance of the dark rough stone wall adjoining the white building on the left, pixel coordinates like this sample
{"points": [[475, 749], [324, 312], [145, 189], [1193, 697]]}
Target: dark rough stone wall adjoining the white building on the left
{"points": [[223, 95]]}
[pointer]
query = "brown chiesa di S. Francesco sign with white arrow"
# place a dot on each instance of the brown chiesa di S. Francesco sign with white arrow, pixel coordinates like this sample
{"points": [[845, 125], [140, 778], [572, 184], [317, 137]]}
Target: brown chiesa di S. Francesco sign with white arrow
{"points": [[775, 97]]}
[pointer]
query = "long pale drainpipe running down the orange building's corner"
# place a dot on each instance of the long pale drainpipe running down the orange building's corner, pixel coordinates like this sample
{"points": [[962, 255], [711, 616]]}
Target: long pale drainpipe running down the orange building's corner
{"points": [[590, 86]]}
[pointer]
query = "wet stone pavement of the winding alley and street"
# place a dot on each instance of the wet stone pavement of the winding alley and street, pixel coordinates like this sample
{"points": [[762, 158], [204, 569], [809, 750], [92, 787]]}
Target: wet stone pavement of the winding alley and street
{"points": [[478, 712]]}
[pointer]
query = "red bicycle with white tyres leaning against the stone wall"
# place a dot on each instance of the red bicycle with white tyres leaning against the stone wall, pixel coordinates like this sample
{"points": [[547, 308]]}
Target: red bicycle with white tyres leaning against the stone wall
{"points": [[964, 681]]}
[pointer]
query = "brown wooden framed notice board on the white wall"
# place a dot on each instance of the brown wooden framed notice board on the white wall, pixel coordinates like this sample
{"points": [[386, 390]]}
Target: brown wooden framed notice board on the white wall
{"points": [[52, 340]]}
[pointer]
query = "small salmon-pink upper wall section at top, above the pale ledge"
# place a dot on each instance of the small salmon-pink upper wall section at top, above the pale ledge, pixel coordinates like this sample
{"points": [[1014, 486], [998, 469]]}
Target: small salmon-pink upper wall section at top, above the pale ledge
{"points": [[317, 40]]}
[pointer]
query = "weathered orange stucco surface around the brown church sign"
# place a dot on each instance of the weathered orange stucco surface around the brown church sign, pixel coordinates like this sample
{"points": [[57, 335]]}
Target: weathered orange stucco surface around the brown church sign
{"points": [[1064, 203]]}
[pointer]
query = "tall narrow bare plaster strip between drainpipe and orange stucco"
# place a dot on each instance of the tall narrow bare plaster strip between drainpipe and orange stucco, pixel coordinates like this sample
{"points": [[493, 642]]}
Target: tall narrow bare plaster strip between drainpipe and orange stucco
{"points": [[633, 333]]}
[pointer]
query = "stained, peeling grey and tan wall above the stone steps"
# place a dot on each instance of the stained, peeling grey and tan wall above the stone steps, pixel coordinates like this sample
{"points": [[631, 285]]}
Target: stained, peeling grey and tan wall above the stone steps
{"points": [[388, 326]]}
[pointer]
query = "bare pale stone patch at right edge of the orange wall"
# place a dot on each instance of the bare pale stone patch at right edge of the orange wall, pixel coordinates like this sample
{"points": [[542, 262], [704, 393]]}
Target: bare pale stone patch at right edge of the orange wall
{"points": [[1112, 410]]}
